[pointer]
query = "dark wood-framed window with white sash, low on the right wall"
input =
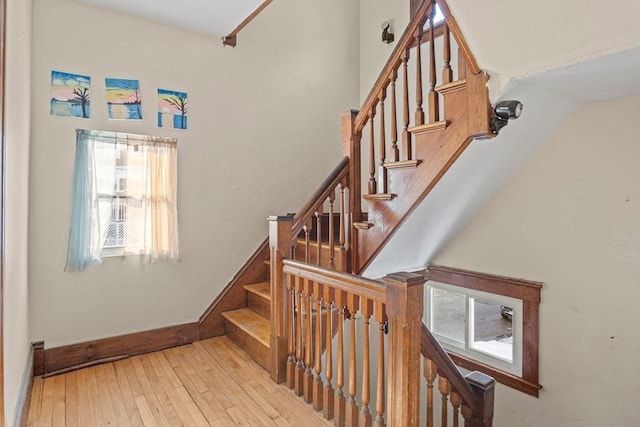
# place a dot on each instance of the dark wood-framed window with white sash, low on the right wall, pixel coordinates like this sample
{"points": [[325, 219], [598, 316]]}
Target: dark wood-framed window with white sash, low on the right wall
{"points": [[486, 323]]}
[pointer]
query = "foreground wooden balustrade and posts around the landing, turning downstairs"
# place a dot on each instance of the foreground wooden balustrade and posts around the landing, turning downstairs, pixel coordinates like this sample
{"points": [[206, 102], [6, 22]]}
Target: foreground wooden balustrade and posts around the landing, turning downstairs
{"points": [[399, 297]]}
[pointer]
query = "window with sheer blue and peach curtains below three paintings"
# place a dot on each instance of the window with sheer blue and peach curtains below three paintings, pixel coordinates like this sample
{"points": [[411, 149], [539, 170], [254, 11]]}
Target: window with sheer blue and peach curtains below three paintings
{"points": [[124, 198]]}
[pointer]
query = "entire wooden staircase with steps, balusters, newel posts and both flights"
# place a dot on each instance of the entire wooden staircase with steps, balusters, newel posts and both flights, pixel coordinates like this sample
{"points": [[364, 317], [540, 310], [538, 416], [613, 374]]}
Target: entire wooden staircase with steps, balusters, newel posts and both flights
{"points": [[317, 254]]}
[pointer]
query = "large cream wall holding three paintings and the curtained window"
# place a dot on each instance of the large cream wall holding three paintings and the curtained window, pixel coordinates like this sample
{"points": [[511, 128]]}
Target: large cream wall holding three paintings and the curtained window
{"points": [[264, 131]]}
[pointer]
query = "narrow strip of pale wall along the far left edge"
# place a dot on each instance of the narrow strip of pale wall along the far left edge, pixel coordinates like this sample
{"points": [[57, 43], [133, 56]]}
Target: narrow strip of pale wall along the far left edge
{"points": [[17, 106]]}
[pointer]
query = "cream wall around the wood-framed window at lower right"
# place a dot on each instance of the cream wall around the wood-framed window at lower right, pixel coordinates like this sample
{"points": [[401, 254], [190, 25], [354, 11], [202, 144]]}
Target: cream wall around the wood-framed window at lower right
{"points": [[571, 219]]}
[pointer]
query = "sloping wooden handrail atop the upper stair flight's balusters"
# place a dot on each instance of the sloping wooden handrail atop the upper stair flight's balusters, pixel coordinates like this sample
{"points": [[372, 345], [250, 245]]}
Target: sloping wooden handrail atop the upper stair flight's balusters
{"points": [[393, 63]]}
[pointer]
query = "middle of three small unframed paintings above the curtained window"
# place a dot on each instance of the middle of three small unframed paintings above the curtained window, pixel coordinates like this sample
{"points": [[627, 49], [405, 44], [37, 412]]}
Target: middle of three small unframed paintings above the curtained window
{"points": [[123, 99]]}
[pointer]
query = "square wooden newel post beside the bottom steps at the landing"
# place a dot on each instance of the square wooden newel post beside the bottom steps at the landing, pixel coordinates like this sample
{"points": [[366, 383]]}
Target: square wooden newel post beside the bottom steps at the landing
{"points": [[280, 228]]}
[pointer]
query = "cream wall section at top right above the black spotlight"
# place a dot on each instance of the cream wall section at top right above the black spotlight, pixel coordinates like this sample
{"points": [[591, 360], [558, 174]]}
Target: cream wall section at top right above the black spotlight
{"points": [[516, 38]]}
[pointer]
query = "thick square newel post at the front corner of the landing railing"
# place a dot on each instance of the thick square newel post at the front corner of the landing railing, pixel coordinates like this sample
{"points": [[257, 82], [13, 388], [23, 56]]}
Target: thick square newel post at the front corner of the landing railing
{"points": [[405, 294]]}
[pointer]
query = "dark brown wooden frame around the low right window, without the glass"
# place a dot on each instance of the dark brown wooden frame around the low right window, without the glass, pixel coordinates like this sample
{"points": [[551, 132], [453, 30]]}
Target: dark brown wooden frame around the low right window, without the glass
{"points": [[526, 291]]}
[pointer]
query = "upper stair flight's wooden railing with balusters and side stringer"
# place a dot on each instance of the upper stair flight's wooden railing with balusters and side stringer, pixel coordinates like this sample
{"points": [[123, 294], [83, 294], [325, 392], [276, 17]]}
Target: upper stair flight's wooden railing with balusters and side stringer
{"points": [[406, 150]]}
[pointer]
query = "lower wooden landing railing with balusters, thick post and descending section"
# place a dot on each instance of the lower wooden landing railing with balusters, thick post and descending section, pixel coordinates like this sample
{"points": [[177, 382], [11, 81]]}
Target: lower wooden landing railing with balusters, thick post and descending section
{"points": [[343, 374]]}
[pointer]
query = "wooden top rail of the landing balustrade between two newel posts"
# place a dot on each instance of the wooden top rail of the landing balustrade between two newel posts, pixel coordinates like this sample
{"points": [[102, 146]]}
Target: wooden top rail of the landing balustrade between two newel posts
{"points": [[363, 287]]}
